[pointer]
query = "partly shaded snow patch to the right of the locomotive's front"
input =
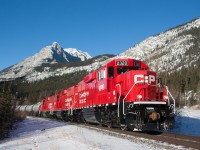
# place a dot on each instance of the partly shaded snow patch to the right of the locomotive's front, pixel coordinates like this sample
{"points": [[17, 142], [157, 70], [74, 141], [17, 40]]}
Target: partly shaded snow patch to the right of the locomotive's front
{"points": [[187, 121]]}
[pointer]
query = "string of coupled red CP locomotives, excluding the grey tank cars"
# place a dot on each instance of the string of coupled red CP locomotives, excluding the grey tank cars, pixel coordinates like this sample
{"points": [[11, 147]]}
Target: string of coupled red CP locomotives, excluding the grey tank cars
{"points": [[124, 93]]}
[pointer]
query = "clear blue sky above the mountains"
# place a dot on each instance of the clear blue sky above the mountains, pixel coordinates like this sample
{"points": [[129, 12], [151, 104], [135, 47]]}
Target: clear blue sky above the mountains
{"points": [[96, 26]]}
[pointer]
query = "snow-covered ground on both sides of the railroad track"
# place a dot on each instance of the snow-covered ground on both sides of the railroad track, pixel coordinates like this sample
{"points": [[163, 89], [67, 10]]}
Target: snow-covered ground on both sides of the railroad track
{"points": [[40, 133]]}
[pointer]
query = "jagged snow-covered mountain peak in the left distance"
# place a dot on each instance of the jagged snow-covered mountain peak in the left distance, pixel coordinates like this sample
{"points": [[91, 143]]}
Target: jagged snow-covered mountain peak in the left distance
{"points": [[48, 55]]}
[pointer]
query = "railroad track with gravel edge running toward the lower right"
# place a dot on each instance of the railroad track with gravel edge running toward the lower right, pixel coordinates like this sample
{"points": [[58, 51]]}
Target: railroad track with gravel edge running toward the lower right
{"points": [[171, 140]]}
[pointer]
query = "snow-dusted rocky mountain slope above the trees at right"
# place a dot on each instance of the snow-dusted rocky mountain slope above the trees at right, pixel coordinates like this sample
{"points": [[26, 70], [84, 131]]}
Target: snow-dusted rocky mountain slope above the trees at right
{"points": [[170, 50]]}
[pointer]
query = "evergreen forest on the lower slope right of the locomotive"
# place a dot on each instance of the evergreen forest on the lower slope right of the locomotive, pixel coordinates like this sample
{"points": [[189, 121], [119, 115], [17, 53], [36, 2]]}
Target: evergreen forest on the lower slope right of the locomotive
{"points": [[184, 84]]}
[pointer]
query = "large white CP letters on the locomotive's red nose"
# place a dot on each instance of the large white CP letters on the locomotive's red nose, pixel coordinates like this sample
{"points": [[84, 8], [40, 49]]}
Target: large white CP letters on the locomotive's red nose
{"points": [[140, 78]]}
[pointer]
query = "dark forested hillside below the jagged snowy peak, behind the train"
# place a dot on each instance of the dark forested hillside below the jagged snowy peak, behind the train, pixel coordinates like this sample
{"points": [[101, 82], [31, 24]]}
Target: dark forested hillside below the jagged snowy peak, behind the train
{"points": [[32, 92]]}
